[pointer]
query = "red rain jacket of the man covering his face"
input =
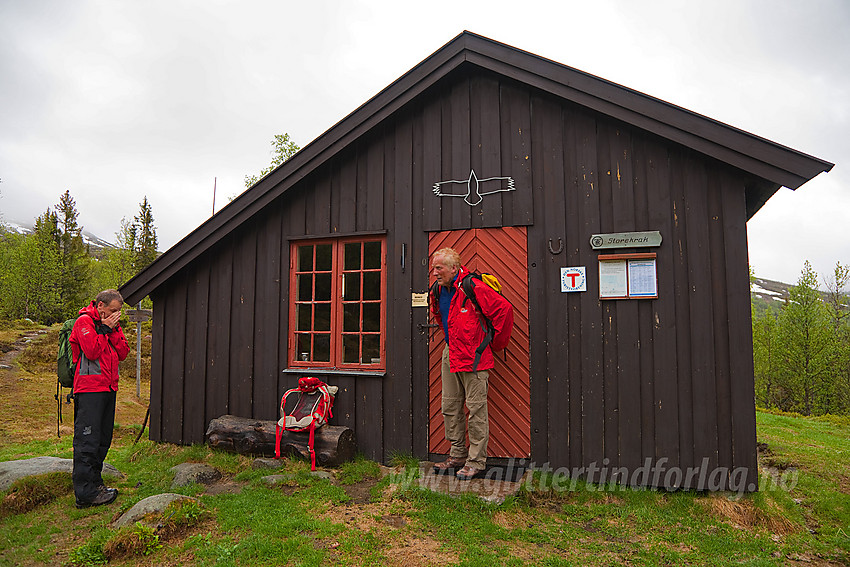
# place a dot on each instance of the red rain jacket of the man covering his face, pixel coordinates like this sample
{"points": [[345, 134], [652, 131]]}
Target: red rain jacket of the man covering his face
{"points": [[96, 354]]}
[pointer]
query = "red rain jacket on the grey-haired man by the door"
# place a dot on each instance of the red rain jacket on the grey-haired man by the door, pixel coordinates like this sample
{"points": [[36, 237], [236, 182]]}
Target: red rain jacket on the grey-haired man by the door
{"points": [[465, 325]]}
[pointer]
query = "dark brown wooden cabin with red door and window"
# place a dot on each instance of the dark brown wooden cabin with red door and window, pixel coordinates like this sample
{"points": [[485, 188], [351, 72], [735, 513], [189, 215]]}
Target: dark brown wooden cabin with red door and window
{"points": [[533, 171]]}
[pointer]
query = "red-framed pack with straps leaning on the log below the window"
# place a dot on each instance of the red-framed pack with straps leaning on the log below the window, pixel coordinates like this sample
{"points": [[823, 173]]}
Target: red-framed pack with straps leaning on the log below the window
{"points": [[305, 408]]}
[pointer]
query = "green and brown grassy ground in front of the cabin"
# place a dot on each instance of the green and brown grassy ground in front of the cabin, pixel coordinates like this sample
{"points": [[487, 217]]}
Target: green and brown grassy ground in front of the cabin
{"points": [[364, 516]]}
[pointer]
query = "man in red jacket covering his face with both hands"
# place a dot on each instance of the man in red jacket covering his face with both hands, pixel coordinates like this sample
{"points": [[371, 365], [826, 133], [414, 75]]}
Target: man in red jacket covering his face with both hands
{"points": [[97, 345]]}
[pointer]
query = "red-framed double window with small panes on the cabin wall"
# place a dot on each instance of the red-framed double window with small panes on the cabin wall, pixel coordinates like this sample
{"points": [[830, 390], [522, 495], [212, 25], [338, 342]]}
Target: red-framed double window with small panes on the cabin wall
{"points": [[349, 304]]}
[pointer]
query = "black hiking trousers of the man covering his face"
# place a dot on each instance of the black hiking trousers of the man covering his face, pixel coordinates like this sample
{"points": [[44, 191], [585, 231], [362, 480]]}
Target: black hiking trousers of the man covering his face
{"points": [[94, 418]]}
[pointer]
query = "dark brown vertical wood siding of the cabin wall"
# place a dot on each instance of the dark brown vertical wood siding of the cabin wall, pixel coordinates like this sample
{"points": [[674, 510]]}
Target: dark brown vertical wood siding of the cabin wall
{"points": [[612, 382]]}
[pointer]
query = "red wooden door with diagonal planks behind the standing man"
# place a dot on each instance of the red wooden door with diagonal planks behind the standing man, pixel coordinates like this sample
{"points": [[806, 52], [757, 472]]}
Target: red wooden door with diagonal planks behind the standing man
{"points": [[504, 253]]}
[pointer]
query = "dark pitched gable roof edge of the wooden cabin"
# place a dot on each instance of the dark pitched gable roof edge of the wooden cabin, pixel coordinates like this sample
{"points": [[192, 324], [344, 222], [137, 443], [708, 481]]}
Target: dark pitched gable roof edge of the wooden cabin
{"points": [[775, 165]]}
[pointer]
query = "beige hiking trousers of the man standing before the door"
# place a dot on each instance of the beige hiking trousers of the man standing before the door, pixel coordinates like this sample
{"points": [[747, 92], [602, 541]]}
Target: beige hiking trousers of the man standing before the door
{"points": [[469, 387]]}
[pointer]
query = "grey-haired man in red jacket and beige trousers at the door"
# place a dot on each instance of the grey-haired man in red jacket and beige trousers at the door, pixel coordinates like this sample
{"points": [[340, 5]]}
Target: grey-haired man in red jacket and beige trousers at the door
{"points": [[465, 367]]}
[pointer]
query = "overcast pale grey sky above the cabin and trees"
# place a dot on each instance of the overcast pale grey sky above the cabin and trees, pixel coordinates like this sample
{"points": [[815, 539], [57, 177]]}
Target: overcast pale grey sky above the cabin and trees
{"points": [[118, 100]]}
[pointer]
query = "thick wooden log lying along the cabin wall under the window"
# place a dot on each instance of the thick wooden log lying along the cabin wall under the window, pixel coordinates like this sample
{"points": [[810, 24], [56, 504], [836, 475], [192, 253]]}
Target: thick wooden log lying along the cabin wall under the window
{"points": [[334, 444]]}
